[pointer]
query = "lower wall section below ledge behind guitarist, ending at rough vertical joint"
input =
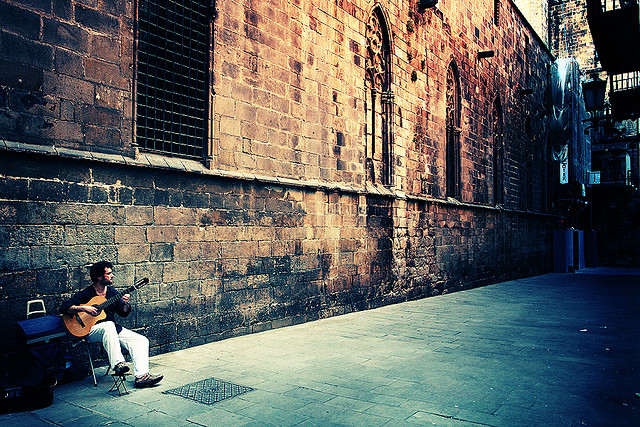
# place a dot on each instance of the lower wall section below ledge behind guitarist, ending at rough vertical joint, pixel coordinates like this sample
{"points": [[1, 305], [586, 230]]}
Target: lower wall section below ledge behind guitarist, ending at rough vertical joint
{"points": [[225, 256]]}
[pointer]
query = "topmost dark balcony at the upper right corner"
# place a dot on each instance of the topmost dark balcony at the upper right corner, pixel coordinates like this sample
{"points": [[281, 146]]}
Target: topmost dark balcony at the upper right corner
{"points": [[615, 27]]}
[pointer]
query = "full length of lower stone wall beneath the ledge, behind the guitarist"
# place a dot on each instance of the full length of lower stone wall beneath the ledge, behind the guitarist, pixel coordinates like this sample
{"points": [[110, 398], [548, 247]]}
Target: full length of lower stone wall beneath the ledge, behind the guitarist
{"points": [[228, 256]]}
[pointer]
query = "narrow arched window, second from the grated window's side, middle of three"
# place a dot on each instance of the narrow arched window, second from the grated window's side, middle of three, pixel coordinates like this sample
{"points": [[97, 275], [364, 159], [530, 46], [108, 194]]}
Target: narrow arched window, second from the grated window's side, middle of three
{"points": [[452, 166]]}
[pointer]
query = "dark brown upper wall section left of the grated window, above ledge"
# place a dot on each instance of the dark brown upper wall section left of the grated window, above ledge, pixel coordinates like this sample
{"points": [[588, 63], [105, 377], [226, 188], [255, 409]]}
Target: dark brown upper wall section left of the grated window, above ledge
{"points": [[66, 70]]}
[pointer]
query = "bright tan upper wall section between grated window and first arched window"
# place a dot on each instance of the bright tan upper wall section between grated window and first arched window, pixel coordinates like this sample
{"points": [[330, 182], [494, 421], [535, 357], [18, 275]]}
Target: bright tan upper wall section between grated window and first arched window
{"points": [[289, 89]]}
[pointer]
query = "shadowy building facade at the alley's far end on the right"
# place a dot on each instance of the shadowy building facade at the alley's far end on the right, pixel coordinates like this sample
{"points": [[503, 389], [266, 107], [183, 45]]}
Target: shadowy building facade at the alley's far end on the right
{"points": [[613, 198]]}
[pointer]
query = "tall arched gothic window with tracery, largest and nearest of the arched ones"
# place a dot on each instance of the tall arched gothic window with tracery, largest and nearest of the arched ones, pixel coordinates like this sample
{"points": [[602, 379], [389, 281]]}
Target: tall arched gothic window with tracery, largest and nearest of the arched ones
{"points": [[379, 100]]}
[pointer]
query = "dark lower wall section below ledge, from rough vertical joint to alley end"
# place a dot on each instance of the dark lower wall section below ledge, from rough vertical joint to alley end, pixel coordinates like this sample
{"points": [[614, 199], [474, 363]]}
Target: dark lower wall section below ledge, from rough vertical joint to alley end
{"points": [[447, 248]]}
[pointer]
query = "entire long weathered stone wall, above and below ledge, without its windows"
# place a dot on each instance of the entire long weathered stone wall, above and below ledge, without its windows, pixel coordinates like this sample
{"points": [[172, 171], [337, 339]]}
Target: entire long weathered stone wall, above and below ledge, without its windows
{"points": [[282, 225]]}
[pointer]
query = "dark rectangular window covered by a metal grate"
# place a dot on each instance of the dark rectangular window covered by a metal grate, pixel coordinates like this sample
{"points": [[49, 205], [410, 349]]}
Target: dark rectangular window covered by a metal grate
{"points": [[172, 76]]}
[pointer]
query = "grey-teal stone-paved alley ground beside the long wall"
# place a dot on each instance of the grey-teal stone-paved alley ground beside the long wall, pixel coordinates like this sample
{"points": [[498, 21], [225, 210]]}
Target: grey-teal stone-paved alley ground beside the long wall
{"points": [[551, 350]]}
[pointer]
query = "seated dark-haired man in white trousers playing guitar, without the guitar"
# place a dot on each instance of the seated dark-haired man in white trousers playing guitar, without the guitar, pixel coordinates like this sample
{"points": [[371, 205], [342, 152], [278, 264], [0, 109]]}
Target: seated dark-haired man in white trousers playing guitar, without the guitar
{"points": [[107, 331]]}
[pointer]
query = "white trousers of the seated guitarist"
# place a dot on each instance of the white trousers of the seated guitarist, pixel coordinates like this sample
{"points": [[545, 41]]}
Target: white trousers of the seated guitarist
{"points": [[137, 345]]}
